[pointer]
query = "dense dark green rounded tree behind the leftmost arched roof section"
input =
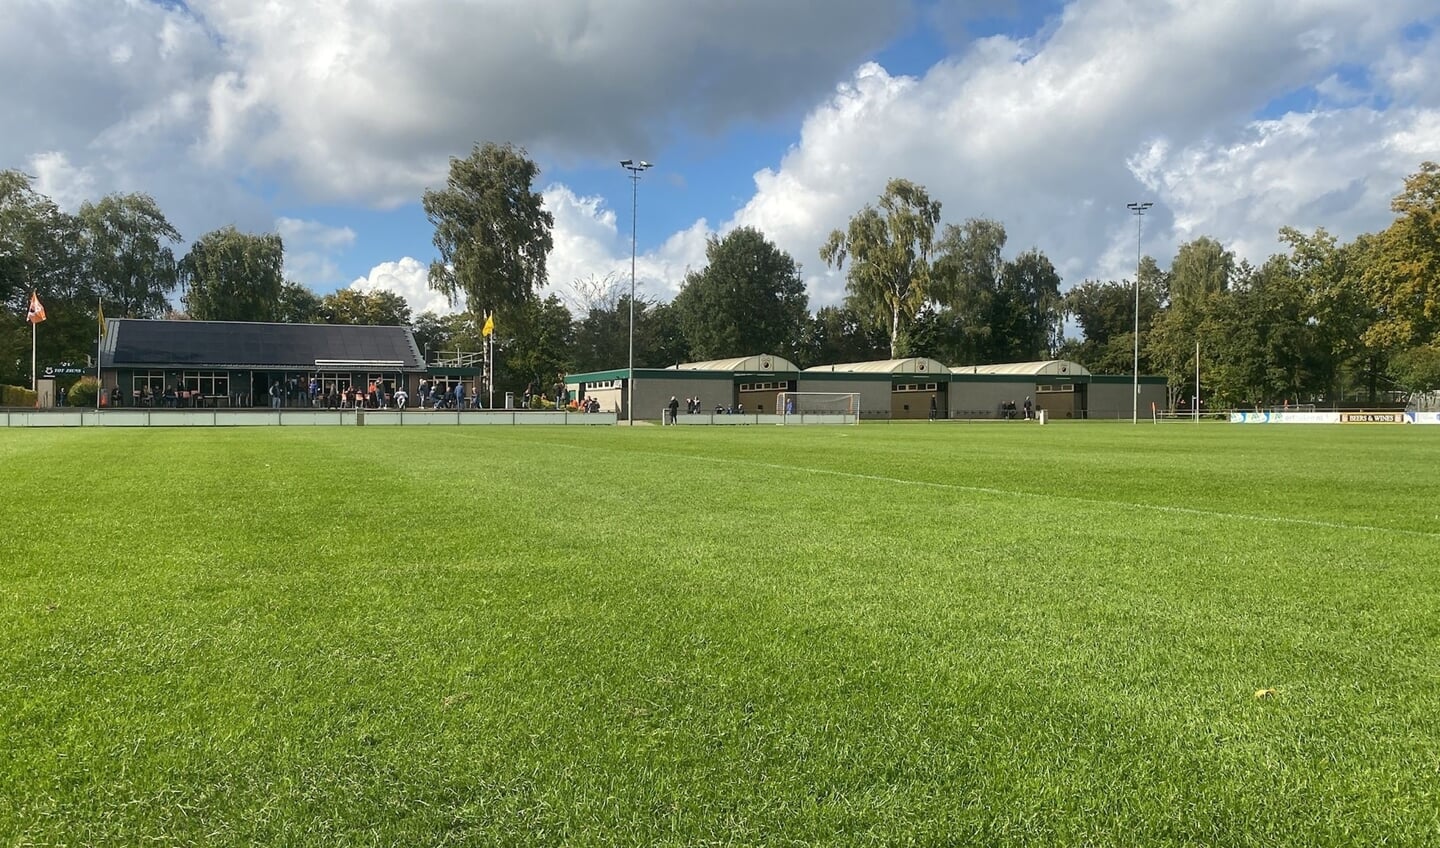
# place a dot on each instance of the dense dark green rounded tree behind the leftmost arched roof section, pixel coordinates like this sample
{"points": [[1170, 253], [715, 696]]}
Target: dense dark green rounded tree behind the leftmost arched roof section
{"points": [[748, 300]]}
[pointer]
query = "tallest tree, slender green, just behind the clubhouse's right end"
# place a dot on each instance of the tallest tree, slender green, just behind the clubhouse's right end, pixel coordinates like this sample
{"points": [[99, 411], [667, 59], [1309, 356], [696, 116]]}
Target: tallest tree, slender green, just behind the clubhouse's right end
{"points": [[492, 230]]}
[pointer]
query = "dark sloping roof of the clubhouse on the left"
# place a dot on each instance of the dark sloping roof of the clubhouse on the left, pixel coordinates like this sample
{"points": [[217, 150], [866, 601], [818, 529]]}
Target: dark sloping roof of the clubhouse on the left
{"points": [[231, 345]]}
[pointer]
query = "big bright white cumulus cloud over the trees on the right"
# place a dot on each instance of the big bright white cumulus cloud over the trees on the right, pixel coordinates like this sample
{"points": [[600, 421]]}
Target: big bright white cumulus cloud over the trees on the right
{"points": [[1114, 103]]}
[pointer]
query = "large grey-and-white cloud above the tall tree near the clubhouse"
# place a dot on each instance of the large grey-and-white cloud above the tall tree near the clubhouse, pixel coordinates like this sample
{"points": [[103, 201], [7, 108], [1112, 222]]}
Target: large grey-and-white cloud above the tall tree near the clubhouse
{"points": [[368, 99]]}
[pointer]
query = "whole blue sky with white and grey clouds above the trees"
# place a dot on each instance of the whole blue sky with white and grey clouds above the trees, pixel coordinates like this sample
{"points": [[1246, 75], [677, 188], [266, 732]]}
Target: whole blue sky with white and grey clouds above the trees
{"points": [[328, 120]]}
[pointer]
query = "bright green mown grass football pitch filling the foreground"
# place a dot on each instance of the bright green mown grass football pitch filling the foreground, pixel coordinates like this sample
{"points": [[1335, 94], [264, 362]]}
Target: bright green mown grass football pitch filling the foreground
{"points": [[878, 636]]}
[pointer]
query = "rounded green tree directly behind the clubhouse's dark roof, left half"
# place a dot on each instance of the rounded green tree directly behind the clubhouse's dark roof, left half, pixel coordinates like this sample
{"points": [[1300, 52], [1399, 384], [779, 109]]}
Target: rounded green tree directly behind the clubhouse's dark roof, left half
{"points": [[234, 277]]}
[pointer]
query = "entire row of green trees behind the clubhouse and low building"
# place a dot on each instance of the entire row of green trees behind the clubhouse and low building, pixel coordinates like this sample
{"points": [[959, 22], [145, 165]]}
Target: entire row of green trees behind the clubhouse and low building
{"points": [[1320, 322]]}
